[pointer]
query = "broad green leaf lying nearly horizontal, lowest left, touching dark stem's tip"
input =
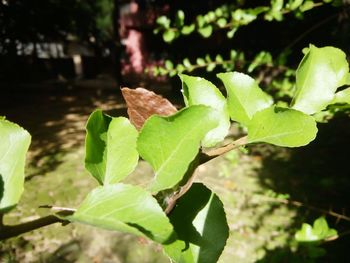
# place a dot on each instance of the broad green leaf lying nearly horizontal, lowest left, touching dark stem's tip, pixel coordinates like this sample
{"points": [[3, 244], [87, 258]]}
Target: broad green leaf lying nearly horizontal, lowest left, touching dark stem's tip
{"points": [[124, 208]]}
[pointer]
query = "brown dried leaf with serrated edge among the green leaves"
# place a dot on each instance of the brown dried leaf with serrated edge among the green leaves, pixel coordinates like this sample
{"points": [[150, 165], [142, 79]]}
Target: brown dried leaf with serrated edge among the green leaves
{"points": [[143, 103]]}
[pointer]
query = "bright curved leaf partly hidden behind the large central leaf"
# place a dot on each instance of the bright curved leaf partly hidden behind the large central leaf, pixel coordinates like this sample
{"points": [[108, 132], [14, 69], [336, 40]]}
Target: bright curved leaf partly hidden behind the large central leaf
{"points": [[198, 91]]}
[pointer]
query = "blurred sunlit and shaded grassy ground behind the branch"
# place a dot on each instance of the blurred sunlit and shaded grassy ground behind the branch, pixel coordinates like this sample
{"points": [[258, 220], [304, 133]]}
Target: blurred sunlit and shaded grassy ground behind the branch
{"points": [[248, 184]]}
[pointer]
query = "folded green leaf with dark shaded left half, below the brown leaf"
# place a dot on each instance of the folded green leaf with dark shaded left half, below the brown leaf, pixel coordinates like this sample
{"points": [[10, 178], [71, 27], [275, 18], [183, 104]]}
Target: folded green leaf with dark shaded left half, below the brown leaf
{"points": [[110, 147]]}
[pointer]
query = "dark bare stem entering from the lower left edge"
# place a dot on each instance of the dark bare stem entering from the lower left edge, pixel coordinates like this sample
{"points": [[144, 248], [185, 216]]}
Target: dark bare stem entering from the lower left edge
{"points": [[15, 230]]}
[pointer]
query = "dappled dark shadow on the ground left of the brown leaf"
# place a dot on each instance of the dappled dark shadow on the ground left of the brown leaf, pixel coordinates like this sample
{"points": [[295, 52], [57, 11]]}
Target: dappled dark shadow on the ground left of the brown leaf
{"points": [[56, 116]]}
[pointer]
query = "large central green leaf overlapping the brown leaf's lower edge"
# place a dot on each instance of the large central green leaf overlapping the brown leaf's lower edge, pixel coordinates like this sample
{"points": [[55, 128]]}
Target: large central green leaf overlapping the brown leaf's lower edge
{"points": [[170, 144]]}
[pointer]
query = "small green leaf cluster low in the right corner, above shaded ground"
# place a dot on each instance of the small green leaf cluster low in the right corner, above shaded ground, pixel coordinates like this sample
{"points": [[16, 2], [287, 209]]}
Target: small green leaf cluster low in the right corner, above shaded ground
{"points": [[319, 231]]}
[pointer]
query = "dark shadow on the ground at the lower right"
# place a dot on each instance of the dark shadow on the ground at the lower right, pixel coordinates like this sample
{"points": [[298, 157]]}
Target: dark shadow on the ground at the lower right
{"points": [[318, 176]]}
